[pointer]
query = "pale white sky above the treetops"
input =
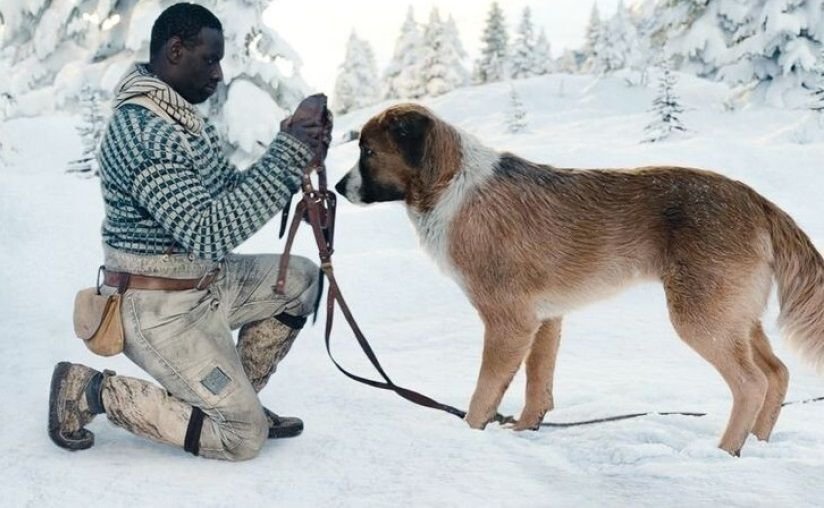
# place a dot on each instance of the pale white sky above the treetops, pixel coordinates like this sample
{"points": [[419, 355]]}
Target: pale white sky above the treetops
{"points": [[318, 29]]}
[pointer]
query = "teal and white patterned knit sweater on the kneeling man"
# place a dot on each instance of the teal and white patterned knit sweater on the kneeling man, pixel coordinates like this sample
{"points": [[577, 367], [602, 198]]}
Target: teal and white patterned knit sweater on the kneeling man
{"points": [[166, 189]]}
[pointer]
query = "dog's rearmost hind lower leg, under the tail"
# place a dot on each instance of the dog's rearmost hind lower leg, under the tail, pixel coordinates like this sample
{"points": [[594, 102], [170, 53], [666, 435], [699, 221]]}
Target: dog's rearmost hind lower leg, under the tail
{"points": [[778, 378]]}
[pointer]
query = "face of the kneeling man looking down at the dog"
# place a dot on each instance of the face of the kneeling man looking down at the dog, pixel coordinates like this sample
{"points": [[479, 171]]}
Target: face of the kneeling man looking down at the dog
{"points": [[197, 70]]}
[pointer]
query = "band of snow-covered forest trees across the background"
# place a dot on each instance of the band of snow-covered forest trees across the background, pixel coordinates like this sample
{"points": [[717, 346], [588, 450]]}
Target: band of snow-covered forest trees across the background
{"points": [[68, 55]]}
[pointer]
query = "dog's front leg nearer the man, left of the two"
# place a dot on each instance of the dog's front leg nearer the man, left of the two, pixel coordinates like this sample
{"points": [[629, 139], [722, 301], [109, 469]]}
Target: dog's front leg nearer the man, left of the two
{"points": [[506, 342]]}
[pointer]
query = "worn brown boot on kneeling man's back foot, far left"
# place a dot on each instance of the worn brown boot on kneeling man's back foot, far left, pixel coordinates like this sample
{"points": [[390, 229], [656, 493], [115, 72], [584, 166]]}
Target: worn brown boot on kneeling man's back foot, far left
{"points": [[74, 400]]}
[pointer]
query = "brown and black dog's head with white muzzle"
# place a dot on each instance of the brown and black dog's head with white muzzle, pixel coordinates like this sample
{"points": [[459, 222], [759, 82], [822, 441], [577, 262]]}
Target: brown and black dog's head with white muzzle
{"points": [[401, 154]]}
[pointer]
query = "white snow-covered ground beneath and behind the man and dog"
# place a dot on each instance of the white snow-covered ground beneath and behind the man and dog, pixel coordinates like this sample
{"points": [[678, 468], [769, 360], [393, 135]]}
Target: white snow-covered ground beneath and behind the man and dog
{"points": [[364, 447]]}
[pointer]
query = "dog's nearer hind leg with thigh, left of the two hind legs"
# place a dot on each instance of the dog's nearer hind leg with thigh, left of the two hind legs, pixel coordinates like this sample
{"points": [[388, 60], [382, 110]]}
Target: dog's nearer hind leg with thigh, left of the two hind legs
{"points": [[711, 326]]}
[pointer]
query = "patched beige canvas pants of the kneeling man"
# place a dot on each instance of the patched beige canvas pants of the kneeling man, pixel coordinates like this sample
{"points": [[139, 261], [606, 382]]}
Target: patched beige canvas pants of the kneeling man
{"points": [[183, 339]]}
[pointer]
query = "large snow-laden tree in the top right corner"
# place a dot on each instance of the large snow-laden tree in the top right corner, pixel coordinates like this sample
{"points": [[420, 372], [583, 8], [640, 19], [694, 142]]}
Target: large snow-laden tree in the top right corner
{"points": [[778, 47]]}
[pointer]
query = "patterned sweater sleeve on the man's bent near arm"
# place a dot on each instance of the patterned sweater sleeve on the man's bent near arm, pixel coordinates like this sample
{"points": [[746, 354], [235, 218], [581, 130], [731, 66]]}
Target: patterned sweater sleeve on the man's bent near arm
{"points": [[168, 184]]}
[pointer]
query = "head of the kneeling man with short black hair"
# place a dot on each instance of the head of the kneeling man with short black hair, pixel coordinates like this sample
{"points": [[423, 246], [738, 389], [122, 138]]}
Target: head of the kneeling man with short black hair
{"points": [[186, 49]]}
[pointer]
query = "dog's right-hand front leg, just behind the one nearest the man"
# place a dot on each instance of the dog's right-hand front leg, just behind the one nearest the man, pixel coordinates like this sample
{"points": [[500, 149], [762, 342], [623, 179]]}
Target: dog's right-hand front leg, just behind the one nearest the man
{"points": [[540, 372]]}
